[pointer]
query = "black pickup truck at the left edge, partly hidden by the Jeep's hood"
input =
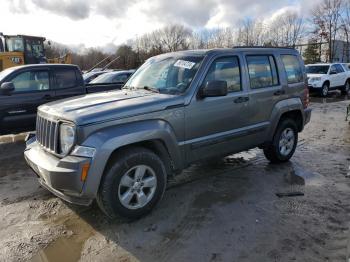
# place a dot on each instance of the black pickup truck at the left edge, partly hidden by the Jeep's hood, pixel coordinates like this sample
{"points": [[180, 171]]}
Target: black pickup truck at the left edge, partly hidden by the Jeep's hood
{"points": [[24, 88]]}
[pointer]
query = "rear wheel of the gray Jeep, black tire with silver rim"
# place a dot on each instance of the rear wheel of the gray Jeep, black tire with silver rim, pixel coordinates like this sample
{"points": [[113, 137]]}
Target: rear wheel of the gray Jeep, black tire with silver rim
{"points": [[274, 152]]}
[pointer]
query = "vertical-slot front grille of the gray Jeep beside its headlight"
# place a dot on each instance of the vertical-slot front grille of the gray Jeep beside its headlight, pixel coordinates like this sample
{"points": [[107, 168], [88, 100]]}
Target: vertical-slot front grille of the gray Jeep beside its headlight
{"points": [[46, 133]]}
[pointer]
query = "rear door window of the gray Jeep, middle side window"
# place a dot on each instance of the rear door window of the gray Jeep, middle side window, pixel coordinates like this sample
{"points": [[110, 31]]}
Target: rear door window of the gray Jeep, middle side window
{"points": [[262, 71]]}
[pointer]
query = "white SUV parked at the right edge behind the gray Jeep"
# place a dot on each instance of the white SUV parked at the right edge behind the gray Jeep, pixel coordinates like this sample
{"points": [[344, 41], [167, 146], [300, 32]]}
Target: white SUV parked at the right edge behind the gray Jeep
{"points": [[325, 77]]}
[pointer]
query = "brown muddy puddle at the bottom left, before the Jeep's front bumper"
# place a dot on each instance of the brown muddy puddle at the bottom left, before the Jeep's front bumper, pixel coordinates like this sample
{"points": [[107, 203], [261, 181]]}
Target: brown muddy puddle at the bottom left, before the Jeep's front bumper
{"points": [[66, 248]]}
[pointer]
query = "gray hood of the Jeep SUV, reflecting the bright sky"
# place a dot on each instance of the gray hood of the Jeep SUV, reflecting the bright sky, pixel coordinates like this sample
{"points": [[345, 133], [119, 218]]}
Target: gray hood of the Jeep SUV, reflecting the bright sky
{"points": [[106, 106]]}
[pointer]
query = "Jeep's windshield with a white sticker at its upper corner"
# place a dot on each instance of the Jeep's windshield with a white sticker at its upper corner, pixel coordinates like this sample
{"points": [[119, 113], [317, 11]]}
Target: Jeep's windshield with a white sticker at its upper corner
{"points": [[166, 74]]}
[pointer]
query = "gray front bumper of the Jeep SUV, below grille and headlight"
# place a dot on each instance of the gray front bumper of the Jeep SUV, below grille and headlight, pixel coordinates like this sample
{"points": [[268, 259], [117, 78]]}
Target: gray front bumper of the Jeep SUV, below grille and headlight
{"points": [[61, 176]]}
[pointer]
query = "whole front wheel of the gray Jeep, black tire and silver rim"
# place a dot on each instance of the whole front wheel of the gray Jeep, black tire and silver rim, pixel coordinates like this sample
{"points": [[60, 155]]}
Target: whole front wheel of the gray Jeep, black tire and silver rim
{"points": [[122, 194]]}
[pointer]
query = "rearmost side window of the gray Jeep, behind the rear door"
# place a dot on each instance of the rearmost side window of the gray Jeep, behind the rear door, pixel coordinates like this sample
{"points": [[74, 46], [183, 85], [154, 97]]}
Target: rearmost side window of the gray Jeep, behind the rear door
{"points": [[292, 68]]}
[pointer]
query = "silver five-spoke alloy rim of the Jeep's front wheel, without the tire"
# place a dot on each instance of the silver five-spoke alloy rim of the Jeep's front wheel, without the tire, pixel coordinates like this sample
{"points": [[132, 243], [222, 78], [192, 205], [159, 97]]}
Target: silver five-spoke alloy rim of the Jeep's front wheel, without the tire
{"points": [[137, 187]]}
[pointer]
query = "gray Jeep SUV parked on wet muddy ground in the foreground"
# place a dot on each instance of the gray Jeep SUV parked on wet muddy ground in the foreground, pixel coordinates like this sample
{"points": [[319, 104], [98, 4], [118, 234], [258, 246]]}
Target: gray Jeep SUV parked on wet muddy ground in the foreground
{"points": [[120, 147]]}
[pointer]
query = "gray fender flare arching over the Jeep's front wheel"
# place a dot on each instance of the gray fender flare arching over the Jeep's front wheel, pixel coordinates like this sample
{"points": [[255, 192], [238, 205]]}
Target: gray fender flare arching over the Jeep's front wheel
{"points": [[155, 135]]}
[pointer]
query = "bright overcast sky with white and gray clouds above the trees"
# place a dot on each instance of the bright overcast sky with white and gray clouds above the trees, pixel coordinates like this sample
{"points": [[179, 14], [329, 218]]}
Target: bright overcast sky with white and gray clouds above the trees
{"points": [[106, 23]]}
